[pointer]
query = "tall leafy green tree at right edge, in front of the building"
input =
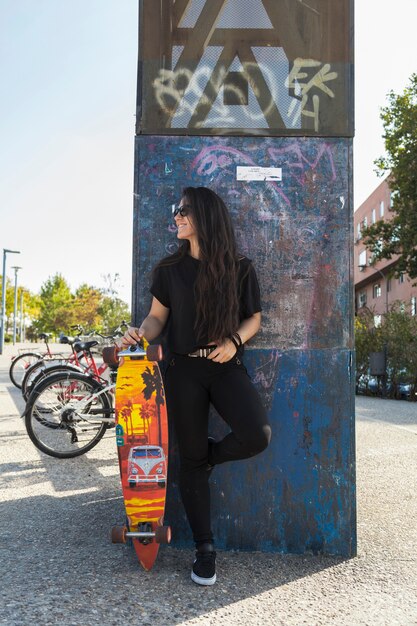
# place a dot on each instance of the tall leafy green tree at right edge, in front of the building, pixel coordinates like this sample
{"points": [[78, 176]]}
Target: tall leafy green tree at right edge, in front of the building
{"points": [[386, 239]]}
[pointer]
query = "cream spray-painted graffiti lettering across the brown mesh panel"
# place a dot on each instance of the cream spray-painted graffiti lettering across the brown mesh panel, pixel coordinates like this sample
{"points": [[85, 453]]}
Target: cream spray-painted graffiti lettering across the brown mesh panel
{"points": [[188, 99]]}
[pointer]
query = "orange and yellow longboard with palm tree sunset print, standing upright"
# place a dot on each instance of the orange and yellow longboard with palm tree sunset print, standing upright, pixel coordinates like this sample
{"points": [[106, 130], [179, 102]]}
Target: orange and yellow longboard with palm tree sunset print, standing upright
{"points": [[142, 446]]}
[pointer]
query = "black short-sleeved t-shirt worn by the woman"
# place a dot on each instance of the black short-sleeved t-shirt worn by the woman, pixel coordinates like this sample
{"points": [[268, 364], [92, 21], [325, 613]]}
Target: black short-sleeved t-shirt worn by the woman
{"points": [[173, 286]]}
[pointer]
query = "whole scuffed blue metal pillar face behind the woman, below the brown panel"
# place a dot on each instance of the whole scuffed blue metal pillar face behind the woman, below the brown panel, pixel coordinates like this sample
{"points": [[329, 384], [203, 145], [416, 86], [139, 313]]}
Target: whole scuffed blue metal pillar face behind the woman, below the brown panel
{"points": [[297, 228]]}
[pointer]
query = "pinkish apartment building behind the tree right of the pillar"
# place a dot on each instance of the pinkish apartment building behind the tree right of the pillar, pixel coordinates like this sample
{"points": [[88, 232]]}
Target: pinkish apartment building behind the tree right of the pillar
{"points": [[375, 286]]}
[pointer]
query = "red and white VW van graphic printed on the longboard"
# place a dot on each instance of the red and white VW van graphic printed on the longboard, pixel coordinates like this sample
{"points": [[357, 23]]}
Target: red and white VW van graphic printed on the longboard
{"points": [[147, 465]]}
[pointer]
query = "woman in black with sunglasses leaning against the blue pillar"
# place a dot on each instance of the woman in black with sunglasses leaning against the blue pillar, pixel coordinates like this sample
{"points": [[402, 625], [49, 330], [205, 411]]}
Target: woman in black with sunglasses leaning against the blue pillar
{"points": [[209, 297]]}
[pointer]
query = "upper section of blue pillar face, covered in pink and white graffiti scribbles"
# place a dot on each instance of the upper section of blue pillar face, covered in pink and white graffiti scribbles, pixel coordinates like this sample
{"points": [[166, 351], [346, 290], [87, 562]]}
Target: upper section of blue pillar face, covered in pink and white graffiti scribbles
{"points": [[294, 230]]}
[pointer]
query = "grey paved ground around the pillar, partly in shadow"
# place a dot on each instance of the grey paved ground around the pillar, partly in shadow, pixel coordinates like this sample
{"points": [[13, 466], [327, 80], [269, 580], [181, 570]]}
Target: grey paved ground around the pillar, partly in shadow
{"points": [[58, 566]]}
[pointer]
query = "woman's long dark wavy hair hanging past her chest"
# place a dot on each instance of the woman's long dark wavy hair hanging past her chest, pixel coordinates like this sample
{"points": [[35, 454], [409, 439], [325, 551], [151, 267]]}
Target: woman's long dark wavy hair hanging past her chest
{"points": [[216, 287]]}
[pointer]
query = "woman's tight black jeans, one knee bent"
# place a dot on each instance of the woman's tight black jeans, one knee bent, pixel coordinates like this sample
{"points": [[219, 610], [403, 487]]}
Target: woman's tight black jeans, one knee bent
{"points": [[191, 384]]}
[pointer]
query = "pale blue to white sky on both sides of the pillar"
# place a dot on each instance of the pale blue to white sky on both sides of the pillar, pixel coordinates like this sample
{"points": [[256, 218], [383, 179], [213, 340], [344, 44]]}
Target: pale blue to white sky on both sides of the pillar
{"points": [[68, 72]]}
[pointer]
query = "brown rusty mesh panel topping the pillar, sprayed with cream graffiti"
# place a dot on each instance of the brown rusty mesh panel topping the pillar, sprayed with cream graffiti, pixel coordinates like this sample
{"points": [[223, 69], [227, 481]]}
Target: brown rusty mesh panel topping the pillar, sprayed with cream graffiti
{"points": [[246, 67]]}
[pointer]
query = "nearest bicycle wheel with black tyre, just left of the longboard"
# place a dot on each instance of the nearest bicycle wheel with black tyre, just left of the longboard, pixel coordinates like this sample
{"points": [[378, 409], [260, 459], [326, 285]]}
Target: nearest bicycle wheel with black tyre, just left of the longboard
{"points": [[66, 414]]}
